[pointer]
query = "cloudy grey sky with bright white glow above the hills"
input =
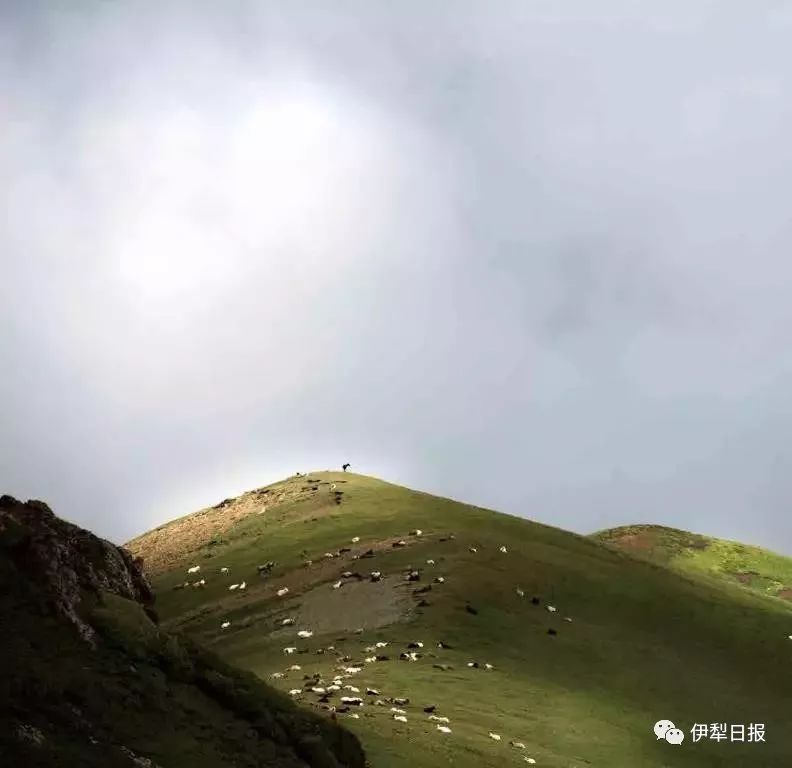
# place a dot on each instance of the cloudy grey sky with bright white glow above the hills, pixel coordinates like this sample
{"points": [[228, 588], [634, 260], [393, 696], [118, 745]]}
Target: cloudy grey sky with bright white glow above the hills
{"points": [[530, 255]]}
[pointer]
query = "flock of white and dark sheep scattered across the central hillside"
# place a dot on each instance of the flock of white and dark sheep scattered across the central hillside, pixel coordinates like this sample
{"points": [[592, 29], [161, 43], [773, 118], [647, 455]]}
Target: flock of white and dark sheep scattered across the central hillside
{"points": [[347, 669]]}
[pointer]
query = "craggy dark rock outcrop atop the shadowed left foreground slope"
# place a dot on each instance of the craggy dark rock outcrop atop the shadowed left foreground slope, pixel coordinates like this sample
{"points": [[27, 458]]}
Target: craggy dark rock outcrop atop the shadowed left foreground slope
{"points": [[68, 561]]}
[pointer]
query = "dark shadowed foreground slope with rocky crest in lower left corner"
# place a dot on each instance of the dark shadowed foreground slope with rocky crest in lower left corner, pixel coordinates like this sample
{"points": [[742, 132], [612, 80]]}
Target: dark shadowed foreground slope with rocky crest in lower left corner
{"points": [[88, 680]]}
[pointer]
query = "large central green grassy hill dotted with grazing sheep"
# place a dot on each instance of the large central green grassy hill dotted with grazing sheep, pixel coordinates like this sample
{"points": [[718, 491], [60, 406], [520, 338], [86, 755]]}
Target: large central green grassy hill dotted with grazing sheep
{"points": [[631, 642]]}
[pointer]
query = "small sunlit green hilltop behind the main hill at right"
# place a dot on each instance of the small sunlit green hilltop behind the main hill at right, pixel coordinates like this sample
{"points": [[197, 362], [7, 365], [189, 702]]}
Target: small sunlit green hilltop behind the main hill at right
{"points": [[752, 567]]}
